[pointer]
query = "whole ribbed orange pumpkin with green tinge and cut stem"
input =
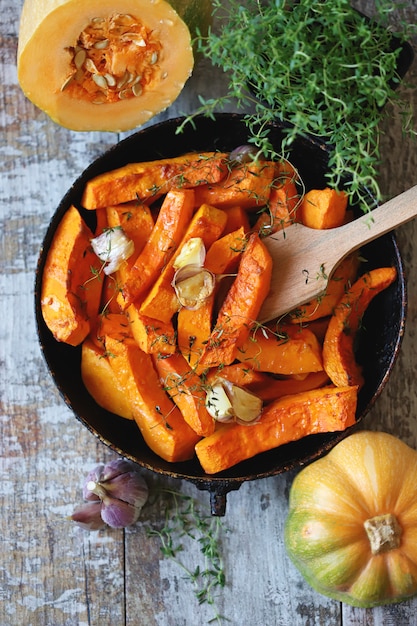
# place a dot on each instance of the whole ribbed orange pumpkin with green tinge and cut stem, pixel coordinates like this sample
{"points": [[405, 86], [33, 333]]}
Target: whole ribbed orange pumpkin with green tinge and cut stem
{"points": [[352, 523]]}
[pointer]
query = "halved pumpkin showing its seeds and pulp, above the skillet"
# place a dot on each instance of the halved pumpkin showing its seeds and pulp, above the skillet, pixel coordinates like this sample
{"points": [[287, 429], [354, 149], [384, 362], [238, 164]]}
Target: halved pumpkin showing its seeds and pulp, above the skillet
{"points": [[107, 65]]}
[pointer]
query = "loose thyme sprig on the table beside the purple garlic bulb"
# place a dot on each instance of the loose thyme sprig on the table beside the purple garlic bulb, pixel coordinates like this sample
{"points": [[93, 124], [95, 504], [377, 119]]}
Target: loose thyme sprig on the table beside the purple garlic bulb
{"points": [[183, 522]]}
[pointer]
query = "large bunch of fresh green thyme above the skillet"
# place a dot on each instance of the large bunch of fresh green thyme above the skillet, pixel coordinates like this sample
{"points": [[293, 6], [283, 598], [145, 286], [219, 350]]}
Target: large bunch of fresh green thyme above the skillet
{"points": [[318, 65]]}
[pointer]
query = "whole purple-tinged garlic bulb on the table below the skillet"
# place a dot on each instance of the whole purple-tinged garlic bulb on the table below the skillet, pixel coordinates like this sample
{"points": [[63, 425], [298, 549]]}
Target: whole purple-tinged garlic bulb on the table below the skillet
{"points": [[117, 490]]}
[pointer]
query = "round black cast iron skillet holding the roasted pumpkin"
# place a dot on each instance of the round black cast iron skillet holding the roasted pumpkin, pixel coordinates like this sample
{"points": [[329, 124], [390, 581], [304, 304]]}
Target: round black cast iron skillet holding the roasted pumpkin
{"points": [[379, 342]]}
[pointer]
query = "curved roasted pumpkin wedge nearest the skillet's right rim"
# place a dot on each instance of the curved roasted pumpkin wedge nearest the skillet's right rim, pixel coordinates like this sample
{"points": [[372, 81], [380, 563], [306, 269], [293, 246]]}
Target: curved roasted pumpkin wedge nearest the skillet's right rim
{"points": [[338, 347]]}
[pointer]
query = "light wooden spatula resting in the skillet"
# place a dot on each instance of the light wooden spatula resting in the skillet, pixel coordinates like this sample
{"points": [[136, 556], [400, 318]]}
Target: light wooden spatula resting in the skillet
{"points": [[304, 258]]}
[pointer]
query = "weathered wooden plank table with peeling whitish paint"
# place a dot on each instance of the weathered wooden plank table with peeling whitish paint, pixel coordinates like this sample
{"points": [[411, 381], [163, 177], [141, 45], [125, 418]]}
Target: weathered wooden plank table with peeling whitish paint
{"points": [[54, 573]]}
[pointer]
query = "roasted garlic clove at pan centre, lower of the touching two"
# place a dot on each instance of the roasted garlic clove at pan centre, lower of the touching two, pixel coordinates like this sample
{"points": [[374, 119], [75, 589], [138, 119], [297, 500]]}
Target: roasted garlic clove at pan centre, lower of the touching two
{"points": [[193, 285]]}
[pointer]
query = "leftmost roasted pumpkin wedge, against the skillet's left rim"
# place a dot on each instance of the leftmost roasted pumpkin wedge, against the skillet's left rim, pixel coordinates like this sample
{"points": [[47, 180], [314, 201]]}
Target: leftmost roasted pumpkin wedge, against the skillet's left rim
{"points": [[71, 287]]}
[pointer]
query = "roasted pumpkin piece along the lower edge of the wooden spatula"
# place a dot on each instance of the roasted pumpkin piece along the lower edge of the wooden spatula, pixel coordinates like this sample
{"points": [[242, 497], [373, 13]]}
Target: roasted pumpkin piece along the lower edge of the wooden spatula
{"points": [[341, 280]]}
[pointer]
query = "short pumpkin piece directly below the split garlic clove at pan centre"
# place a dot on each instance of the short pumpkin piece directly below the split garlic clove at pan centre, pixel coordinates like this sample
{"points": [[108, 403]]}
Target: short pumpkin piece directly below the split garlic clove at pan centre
{"points": [[193, 330]]}
